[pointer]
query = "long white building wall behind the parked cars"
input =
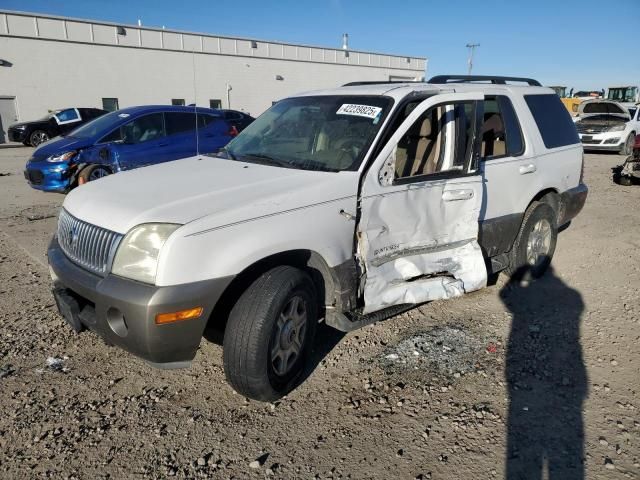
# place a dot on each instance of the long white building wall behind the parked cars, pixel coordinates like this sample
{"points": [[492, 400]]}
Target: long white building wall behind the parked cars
{"points": [[56, 62]]}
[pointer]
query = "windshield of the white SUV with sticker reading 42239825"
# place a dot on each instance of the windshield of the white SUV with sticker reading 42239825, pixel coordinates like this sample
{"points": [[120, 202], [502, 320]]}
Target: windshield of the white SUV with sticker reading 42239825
{"points": [[330, 133]]}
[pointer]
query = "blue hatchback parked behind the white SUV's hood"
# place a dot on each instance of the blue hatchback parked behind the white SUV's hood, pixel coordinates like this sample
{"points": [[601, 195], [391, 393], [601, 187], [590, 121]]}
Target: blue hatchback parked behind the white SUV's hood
{"points": [[126, 139]]}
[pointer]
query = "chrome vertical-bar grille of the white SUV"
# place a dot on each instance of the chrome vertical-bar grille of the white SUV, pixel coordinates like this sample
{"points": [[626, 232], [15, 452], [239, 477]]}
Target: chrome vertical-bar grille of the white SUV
{"points": [[87, 245]]}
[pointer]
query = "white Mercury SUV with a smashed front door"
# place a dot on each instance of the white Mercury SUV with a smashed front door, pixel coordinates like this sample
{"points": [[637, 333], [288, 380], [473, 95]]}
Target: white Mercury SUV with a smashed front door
{"points": [[347, 205]]}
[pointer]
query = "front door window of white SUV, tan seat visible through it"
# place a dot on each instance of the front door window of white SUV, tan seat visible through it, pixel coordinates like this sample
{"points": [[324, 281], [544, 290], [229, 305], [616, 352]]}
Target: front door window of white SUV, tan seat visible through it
{"points": [[437, 142]]}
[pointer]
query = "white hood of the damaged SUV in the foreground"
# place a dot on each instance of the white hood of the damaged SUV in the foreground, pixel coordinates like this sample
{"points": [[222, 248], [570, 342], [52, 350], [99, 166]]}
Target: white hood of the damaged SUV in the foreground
{"points": [[209, 191]]}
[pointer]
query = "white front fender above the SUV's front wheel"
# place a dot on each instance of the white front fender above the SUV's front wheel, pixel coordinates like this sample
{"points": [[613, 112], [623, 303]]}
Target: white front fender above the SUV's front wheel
{"points": [[193, 254]]}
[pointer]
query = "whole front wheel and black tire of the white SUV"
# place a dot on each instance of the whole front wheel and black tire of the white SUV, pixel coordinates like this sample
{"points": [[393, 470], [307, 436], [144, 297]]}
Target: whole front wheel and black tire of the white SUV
{"points": [[269, 334]]}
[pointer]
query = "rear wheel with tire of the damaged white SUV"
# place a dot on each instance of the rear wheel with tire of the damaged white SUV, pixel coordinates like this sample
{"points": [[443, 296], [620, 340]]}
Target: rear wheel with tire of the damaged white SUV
{"points": [[535, 244]]}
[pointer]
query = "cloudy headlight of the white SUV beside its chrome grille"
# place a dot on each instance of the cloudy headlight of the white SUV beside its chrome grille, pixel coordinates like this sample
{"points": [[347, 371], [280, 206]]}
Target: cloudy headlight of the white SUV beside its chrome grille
{"points": [[137, 255]]}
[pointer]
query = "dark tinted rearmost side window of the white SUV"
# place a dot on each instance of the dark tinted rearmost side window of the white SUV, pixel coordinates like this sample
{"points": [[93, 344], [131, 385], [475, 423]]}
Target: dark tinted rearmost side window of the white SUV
{"points": [[553, 120]]}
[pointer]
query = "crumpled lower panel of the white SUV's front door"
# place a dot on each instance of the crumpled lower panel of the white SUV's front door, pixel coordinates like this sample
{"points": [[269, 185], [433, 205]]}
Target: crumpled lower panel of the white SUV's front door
{"points": [[417, 245]]}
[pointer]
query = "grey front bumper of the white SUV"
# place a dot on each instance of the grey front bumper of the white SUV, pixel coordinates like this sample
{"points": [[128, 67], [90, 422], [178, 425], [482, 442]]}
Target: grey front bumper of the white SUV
{"points": [[123, 311]]}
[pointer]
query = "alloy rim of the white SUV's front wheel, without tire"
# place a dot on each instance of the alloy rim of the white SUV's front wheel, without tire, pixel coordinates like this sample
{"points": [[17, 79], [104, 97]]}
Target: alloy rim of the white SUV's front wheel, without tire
{"points": [[288, 336]]}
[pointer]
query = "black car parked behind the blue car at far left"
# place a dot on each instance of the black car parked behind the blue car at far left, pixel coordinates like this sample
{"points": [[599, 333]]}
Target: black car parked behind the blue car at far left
{"points": [[58, 122]]}
